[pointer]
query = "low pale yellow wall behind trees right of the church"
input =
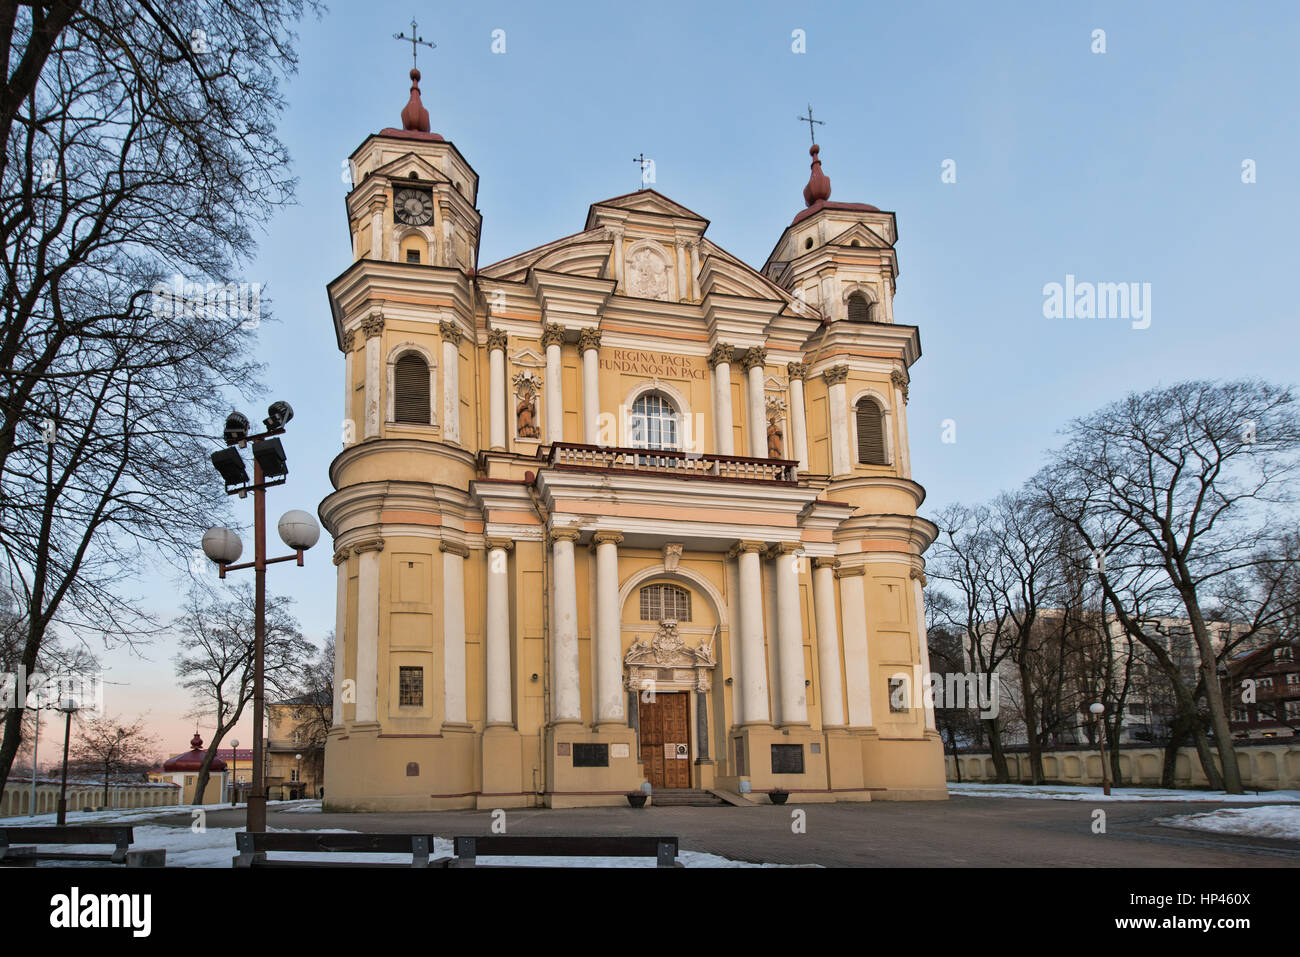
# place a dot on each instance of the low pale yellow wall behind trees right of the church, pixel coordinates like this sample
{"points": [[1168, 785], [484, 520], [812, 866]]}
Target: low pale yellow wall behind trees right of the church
{"points": [[1264, 768]]}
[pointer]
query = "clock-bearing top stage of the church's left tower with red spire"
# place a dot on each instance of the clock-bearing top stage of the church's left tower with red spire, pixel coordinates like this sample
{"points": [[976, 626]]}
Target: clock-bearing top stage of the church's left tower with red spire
{"points": [[413, 197]]}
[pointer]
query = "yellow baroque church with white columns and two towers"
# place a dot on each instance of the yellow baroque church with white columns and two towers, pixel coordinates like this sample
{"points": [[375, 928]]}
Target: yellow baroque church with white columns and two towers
{"points": [[621, 509]]}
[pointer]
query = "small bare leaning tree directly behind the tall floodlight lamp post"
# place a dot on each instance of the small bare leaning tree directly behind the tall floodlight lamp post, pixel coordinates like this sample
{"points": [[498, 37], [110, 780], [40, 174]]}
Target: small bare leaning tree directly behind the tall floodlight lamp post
{"points": [[218, 669]]}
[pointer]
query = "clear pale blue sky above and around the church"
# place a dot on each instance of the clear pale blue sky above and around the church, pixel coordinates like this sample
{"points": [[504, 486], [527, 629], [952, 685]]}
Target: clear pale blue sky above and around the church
{"points": [[1117, 167]]}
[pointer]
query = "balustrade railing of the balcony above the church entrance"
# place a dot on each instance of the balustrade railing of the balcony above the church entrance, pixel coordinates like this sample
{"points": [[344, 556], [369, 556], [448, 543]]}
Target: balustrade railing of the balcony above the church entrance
{"points": [[593, 458]]}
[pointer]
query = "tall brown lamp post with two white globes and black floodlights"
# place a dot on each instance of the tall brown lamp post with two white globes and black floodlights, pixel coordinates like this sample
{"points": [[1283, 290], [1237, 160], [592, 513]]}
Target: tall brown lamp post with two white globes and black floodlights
{"points": [[298, 530]]}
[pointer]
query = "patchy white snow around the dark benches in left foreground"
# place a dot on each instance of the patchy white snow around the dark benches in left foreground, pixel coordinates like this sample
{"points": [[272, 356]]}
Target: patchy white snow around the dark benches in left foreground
{"points": [[215, 847]]}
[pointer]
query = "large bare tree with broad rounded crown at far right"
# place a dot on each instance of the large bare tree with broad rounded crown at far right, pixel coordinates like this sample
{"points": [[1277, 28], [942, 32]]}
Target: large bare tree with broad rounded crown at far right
{"points": [[1172, 491]]}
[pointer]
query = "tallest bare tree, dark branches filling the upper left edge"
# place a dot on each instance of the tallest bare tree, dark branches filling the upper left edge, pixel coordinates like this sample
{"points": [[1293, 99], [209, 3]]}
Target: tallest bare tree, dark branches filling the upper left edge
{"points": [[138, 146]]}
